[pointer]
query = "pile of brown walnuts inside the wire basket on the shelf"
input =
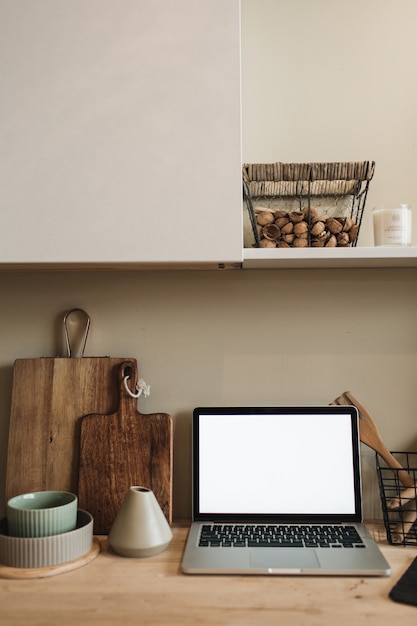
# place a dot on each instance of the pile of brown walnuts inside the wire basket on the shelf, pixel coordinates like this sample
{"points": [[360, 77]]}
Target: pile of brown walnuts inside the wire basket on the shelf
{"points": [[300, 229]]}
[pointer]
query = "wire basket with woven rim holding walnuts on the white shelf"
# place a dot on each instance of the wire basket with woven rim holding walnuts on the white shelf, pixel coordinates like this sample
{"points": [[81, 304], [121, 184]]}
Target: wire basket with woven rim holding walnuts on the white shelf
{"points": [[297, 205]]}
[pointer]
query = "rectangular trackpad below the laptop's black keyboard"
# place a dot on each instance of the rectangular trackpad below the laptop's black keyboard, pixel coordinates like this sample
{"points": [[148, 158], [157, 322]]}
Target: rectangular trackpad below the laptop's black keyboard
{"points": [[284, 558]]}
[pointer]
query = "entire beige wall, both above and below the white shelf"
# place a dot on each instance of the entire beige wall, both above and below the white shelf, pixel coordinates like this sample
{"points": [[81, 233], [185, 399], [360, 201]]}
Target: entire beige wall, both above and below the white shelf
{"points": [[339, 86]]}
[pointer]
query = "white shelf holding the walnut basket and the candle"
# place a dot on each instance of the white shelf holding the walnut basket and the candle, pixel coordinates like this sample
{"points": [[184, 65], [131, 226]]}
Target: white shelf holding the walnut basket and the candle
{"points": [[316, 258]]}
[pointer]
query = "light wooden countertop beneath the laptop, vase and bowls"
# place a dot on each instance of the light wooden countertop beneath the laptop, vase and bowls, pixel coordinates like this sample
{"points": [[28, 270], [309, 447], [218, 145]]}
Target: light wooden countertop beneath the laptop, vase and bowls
{"points": [[112, 590]]}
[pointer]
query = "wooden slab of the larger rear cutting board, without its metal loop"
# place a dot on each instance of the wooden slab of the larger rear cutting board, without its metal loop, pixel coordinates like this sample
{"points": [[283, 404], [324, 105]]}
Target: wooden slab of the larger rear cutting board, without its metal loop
{"points": [[49, 397]]}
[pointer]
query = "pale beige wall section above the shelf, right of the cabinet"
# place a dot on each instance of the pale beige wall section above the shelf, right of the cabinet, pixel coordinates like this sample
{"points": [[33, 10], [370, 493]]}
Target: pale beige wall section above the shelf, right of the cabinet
{"points": [[326, 80]]}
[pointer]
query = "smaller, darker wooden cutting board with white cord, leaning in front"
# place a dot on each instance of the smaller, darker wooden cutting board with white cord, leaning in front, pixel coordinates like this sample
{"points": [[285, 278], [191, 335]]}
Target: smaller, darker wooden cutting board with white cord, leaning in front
{"points": [[124, 449]]}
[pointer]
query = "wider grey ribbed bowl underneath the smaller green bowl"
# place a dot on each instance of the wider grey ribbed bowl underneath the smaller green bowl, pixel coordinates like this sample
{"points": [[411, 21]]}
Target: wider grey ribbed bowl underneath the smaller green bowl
{"points": [[47, 551]]}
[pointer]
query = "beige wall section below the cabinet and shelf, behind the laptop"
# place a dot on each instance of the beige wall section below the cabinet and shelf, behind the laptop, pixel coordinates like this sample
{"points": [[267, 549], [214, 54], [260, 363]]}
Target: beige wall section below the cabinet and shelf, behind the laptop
{"points": [[233, 337]]}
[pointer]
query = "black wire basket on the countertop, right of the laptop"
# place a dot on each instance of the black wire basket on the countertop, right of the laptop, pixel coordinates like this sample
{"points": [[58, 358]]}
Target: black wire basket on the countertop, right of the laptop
{"points": [[399, 503]]}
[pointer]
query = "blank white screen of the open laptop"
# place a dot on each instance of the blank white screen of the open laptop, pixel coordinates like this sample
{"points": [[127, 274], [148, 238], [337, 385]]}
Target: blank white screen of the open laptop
{"points": [[287, 464]]}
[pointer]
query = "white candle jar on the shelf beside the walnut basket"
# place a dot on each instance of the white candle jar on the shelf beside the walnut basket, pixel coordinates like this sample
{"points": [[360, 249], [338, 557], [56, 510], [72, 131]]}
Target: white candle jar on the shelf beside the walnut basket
{"points": [[392, 225]]}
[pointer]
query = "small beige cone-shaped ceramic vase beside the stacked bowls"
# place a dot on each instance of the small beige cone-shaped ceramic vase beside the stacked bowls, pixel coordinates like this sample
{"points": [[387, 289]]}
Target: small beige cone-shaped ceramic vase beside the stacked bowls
{"points": [[140, 528]]}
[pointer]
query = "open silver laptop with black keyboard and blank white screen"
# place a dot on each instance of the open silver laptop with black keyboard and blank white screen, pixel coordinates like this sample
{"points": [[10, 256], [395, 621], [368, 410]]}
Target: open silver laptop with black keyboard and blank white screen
{"points": [[277, 490]]}
